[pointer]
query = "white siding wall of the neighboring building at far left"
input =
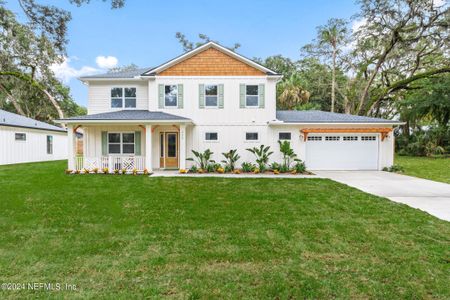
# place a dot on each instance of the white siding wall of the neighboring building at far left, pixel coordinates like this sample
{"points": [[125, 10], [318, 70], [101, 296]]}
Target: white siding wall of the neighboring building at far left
{"points": [[33, 149]]}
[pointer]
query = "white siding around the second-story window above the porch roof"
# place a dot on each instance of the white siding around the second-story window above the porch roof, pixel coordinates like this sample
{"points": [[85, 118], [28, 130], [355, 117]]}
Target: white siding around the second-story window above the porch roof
{"points": [[99, 95]]}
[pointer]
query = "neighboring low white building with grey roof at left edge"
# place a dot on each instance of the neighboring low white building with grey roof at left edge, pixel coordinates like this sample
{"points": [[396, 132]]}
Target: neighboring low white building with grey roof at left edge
{"points": [[24, 139]]}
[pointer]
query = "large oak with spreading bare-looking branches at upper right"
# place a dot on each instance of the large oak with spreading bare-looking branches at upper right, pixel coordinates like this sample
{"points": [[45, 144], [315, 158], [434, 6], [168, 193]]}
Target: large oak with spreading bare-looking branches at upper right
{"points": [[401, 42]]}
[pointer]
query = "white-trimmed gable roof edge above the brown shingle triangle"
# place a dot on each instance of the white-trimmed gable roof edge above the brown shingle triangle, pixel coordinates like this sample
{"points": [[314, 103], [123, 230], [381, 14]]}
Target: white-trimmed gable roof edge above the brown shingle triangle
{"points": [[203, 47]]}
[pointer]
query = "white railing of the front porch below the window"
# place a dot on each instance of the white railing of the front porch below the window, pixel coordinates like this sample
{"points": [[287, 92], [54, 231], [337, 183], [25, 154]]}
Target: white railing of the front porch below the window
{"points": [[111, 162]]}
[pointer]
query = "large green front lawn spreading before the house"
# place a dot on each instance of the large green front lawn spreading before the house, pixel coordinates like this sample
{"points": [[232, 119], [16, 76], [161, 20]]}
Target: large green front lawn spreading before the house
{"points": [[129, 237]]}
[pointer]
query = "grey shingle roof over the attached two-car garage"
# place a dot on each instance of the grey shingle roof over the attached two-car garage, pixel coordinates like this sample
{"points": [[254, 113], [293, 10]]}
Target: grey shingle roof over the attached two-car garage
{"points": [[317, 116]]}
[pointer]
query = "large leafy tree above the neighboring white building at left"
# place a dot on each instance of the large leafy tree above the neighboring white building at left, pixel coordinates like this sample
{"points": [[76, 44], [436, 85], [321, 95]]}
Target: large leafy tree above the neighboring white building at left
{"points": [[28, 51]]}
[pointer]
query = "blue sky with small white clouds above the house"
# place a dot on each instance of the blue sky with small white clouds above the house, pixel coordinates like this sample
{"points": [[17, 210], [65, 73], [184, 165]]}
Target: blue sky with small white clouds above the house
{"points": [[143, 32]]}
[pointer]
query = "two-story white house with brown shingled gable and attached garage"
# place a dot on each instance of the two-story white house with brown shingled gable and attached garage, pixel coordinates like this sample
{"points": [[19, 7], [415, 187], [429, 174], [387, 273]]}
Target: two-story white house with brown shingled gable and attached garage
{"points": [[212, 97]]}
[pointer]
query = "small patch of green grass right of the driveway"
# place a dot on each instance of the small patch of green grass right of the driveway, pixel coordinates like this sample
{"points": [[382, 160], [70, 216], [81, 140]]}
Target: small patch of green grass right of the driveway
{"points": [[437, 169]]}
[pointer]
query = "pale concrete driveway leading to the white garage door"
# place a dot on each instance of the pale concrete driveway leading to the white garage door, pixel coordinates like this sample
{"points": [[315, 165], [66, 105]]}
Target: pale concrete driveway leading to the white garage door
{"points": [[430, 196]]}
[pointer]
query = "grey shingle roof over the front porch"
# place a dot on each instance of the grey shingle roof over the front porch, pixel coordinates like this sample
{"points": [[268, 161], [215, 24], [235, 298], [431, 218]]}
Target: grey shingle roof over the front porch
{"points": [[130, 115]]}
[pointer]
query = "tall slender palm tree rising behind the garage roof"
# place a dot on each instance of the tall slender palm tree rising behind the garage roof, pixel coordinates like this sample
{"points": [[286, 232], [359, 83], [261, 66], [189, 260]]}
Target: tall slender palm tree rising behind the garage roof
{"points": [[330, 39]]}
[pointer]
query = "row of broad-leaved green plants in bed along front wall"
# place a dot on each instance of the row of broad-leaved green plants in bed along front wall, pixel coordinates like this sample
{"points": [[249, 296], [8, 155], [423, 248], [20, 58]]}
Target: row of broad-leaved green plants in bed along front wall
{"points": [[290, 164]]}
